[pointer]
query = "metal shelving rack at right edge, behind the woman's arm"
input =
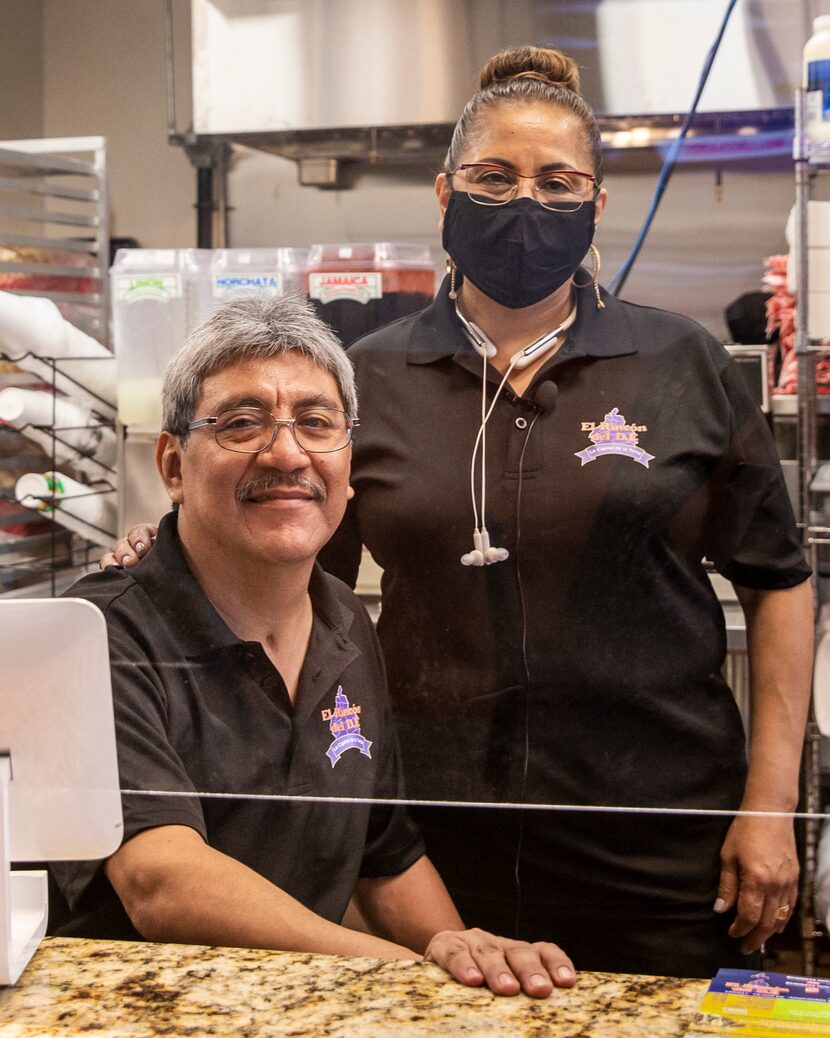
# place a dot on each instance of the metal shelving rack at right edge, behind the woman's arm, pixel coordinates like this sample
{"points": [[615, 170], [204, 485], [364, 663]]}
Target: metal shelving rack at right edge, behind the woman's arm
{"points": [[808, 168]]}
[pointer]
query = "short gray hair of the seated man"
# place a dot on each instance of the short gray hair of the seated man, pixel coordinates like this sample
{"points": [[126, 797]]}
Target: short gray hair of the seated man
{"points": [[251, 330]]}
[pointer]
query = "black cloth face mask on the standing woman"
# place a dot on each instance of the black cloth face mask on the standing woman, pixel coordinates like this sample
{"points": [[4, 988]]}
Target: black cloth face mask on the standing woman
{"points": [[517, 254]]}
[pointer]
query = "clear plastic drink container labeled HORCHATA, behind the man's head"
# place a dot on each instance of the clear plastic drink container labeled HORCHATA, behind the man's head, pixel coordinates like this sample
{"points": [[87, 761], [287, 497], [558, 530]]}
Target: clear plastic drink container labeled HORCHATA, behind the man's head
{"points": [[264, 274]]}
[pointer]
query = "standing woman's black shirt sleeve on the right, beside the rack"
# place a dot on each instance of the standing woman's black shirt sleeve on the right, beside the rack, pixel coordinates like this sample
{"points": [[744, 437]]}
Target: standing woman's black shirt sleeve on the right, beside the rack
{"points": [[754, 540]]}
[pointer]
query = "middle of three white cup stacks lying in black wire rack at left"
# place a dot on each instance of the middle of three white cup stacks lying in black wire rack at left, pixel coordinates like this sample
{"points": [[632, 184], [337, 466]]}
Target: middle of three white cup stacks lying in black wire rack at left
{"points": [[78, 433]]}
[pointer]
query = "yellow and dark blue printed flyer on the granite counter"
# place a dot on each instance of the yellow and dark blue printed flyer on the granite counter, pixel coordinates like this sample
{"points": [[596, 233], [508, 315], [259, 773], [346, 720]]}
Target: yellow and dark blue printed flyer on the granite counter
{"points": [[764, 1005]]}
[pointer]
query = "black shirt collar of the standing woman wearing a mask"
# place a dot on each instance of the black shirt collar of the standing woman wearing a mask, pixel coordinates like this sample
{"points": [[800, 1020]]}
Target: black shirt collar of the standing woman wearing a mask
{"points": [[437, 334]]}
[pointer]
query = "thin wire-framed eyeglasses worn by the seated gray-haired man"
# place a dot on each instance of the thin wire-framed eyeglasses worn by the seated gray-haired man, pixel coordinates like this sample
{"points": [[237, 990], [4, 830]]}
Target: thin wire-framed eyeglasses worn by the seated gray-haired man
{"points": [[252, 430]]}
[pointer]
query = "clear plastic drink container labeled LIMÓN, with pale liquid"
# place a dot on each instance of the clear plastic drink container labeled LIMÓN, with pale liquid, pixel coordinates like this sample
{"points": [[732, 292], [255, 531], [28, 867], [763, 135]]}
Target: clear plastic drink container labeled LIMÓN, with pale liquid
{"points": [[158, 297]]}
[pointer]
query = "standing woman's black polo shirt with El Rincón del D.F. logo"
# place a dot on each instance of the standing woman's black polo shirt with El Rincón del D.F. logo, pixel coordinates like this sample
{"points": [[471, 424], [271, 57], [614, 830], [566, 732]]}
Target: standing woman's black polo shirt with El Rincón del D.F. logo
{"points": [[587, 669]]}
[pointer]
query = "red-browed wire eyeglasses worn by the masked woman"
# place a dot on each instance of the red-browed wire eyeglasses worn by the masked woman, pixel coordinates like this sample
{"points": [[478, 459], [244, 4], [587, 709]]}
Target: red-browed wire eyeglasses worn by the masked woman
{"points": [[561, 190]]}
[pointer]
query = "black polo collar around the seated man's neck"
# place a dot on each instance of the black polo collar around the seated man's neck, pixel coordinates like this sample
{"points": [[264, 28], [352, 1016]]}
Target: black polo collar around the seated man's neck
{"points": [[165, 577]]}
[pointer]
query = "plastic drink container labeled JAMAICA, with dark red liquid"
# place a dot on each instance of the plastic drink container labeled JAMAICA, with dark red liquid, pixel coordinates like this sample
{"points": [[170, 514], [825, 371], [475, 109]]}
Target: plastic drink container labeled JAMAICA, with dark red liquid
{"points": [[359, 288]]}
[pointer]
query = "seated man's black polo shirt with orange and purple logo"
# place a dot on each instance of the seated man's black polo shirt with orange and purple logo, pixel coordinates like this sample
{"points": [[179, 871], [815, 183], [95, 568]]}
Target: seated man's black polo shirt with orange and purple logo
{"points": [[200, 712]]}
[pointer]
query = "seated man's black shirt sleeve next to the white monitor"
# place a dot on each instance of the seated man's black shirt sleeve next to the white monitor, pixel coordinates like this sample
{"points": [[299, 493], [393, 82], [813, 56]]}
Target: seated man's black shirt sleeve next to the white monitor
{"points": [[147, 761]]}
